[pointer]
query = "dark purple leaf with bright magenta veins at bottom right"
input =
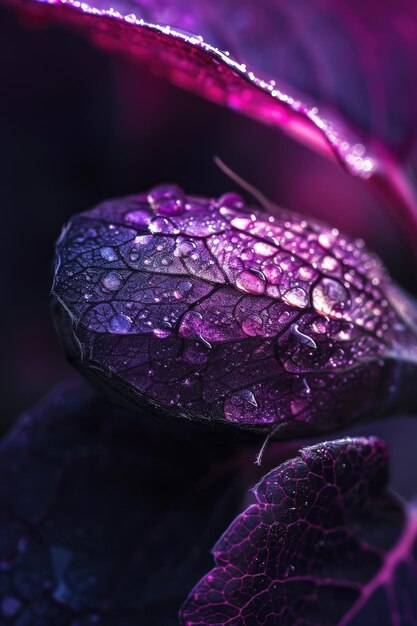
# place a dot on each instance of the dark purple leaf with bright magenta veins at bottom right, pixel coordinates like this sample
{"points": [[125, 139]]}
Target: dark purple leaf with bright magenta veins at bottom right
{"points": [[325, 543]]}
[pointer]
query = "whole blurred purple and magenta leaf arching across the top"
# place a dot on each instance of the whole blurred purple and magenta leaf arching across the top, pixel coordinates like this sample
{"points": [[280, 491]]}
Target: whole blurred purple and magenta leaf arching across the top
{"points": [[283, 60]]}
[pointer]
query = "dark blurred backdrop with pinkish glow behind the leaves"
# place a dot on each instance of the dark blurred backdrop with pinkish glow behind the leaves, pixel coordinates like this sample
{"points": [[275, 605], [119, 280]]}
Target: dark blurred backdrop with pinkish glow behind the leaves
{"points": [[77, 127]]}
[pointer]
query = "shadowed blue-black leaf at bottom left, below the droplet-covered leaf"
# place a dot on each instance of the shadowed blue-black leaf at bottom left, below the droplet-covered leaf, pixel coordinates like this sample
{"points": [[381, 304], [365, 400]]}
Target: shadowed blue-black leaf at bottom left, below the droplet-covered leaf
{"points": [[105, 519]]}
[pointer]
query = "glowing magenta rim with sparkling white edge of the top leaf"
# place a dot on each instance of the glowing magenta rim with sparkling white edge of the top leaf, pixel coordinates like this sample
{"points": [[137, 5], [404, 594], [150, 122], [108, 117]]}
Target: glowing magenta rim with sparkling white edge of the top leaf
{"points": [[194, 64]]}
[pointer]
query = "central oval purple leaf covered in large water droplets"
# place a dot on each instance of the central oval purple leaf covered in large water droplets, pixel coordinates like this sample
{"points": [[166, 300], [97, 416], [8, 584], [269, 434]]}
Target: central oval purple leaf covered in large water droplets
{"points": [[212, 310]]}
